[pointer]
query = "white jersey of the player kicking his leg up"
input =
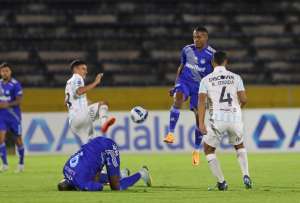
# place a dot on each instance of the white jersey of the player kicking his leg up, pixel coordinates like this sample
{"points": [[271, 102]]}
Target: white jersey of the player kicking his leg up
{"points": [[75, 102]]}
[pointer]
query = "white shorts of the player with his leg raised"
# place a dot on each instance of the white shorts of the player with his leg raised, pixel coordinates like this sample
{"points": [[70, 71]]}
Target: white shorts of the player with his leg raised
{"points": [[81, 122]]}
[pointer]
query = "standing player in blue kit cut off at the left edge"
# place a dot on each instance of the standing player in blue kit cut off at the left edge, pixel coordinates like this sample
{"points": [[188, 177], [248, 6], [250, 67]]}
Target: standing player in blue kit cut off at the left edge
{"points": [[10, 114]]}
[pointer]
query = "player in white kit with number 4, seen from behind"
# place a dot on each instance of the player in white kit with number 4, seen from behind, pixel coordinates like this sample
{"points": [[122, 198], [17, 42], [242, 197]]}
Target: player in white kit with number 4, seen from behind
{"points": [[226, 95]]}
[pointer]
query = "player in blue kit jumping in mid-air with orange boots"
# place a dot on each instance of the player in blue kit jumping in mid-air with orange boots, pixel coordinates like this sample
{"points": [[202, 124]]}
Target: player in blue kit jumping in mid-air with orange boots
{"points": [[195, 64]]}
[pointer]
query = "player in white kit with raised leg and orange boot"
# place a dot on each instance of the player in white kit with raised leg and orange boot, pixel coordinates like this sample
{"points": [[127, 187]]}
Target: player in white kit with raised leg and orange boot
{"points": [[81, 114]]}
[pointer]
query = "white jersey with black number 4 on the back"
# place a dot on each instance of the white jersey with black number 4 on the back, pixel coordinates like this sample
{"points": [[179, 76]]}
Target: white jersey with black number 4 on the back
{"points": [[222, 87]]}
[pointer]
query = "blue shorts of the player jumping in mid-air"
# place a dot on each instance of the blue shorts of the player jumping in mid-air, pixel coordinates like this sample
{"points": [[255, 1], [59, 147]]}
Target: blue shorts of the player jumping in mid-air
{"points": [[189, 90]]}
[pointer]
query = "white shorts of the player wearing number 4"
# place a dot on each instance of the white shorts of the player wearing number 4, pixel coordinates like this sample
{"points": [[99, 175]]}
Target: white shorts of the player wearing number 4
{"points": [[217, 129]]}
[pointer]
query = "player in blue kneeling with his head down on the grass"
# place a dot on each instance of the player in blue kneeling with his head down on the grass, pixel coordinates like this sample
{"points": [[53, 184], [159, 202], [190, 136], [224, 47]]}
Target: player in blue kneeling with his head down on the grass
{"points": [[83, 170]]}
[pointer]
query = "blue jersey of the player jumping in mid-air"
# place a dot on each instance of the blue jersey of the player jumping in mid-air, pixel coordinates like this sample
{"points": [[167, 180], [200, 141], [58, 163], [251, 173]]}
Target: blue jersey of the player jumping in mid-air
{"points": [[196, 63]]}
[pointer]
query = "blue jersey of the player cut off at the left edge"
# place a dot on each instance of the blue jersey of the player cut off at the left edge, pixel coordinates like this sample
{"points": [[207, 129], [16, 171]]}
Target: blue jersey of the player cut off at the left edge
{"points": [[8, 93]]}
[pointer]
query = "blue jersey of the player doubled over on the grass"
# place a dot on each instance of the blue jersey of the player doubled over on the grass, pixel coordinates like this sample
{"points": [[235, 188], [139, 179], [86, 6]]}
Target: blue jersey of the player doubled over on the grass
{"points": [[83, 166]]}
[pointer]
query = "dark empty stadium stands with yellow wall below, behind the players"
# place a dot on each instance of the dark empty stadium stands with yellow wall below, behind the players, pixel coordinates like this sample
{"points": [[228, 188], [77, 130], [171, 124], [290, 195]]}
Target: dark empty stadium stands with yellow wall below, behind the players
{"points": [[137, 45]]}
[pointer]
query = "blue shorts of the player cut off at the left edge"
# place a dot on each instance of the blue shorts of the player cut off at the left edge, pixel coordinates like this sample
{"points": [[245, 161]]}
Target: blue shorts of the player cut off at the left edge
{"points": [[11, 123]]}
